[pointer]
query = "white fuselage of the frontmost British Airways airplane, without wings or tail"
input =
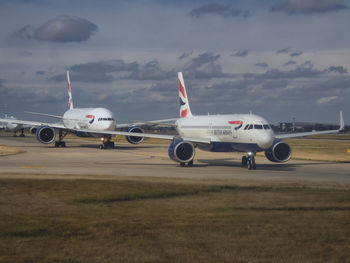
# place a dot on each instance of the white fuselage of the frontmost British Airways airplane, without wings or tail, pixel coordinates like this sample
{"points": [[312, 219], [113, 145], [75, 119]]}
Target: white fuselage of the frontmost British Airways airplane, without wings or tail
{"points": [[229, 132]]}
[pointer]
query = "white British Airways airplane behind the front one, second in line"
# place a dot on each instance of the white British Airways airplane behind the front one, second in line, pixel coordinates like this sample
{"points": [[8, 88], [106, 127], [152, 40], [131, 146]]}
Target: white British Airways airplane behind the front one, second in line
{"points": [[96, 122]]}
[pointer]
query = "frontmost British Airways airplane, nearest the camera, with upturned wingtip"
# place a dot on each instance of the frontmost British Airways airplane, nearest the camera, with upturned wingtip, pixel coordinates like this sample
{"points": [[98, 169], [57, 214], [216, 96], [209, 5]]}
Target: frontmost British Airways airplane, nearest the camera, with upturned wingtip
{"points": [[225, 133]]}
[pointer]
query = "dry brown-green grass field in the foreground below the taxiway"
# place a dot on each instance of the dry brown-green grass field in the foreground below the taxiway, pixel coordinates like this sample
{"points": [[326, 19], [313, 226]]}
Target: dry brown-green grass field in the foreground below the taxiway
{"points": [[165, 220]]}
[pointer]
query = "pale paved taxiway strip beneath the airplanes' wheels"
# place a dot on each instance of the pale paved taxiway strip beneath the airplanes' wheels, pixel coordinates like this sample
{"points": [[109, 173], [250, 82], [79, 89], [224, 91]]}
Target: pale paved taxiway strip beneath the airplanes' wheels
{"points": [[84, 159]]}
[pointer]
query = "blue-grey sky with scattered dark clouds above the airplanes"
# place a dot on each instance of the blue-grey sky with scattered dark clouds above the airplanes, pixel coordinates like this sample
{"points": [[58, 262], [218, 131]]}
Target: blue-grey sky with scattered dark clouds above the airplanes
{"points": [[280, 59]]}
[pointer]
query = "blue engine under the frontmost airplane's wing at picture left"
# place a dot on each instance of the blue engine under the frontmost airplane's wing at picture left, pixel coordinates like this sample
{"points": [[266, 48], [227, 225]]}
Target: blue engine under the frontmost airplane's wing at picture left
{"points": [[181, 151]]}
